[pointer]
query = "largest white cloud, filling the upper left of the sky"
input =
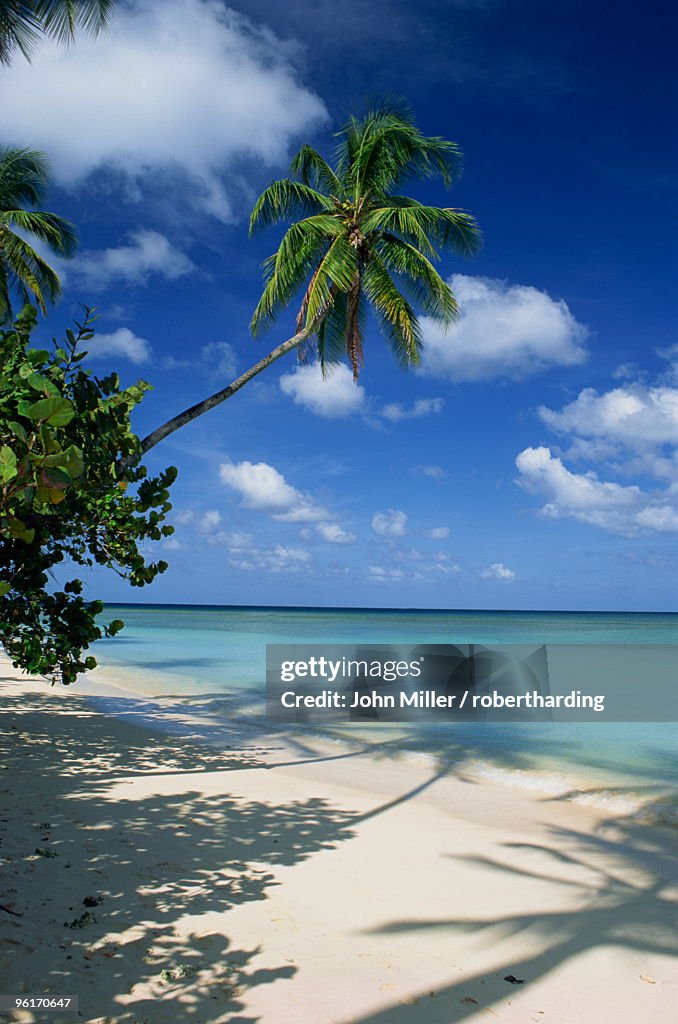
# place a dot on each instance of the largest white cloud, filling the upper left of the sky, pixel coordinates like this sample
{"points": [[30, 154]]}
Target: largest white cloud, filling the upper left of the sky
{"points": [[202, 89]]}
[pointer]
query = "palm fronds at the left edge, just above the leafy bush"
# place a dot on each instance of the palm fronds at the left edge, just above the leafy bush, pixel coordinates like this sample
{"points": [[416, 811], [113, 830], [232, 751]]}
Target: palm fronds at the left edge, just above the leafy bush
{"points": [[23, 271]]}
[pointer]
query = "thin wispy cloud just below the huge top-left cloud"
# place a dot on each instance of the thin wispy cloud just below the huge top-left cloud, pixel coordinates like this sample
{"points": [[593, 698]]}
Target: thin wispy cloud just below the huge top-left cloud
{"points": [[148, 252]]}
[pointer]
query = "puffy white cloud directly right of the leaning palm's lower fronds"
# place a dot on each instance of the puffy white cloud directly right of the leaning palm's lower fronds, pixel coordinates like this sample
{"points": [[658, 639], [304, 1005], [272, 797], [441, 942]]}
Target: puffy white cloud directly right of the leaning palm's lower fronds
{"points": [[505, 331]]}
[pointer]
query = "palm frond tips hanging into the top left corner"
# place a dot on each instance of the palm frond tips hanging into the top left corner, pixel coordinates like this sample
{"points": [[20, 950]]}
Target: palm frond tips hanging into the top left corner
{"points": [[24, 22]]}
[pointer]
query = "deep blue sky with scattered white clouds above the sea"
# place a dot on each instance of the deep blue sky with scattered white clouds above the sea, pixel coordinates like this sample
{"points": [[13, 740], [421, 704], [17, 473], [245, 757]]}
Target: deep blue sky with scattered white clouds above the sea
{"points": [[532, 462]]}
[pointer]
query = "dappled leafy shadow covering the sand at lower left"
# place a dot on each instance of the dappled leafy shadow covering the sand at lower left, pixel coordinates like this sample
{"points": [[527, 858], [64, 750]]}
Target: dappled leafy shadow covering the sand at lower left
{"points": [[154, 861]]}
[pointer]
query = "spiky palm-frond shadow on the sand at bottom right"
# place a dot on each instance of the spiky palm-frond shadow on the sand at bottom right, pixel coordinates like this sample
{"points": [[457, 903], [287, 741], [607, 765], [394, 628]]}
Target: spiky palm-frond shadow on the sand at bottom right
{"points": [[625, 901]]}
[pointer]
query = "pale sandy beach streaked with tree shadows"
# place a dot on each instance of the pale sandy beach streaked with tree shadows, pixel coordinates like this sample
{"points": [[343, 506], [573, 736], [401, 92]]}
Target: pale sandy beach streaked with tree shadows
{"points": [[161, 876]]}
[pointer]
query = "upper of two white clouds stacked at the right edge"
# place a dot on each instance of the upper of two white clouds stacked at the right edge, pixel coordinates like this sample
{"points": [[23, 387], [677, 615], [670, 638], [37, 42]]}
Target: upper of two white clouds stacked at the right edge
{"points": [[637, 416]]}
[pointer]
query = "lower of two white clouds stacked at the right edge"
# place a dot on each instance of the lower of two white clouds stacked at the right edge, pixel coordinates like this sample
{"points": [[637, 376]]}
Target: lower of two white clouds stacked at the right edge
{"points": [[622, 509]]}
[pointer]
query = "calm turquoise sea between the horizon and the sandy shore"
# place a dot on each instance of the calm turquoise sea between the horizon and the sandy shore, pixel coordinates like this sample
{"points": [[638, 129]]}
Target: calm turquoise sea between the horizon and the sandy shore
{"points": [[216, 657]]}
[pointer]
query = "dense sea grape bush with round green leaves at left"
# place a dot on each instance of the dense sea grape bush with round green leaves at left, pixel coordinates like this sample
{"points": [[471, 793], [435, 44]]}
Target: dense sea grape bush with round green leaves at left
{"points": [[71, 489]]}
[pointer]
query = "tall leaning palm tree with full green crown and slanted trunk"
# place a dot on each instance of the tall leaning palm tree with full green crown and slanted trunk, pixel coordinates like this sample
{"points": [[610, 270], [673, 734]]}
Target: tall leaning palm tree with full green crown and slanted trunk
{"points": [[359, 244]]}
